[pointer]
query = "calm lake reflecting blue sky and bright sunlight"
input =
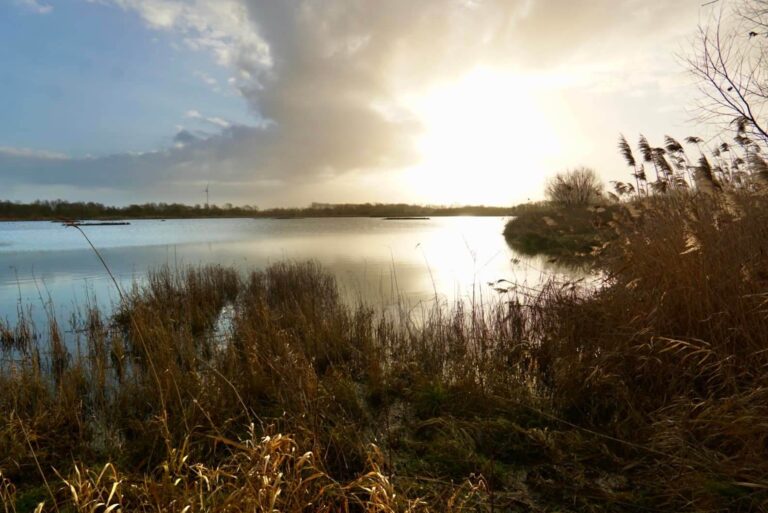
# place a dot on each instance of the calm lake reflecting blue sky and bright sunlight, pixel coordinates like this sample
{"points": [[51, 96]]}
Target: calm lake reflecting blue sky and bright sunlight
{"points": [[375, 260]]}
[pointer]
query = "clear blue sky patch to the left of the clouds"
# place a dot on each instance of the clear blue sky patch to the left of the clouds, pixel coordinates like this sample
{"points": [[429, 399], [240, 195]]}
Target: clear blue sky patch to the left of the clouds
{"points": [[91, 79]]}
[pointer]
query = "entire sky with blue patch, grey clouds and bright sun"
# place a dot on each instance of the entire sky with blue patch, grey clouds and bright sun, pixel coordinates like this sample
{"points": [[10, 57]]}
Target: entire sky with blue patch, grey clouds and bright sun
{"points": [[286, 102]]}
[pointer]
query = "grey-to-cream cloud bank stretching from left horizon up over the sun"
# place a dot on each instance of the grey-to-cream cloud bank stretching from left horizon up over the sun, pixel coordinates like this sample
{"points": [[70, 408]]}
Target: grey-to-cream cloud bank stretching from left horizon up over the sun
{"points": [[329, 77]]}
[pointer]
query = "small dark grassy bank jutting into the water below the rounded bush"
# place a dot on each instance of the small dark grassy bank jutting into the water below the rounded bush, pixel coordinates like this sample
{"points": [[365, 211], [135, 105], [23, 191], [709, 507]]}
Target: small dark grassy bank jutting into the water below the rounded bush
{"points": [[568, 233]]}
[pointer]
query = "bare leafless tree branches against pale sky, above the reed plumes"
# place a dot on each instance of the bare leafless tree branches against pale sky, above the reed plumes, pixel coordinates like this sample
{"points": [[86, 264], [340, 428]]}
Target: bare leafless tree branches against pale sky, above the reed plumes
{"points": [[731, 62]]}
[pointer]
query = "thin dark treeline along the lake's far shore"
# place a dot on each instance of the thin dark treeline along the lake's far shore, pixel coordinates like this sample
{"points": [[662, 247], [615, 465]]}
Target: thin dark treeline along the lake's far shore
{"points": [[62, 210]]}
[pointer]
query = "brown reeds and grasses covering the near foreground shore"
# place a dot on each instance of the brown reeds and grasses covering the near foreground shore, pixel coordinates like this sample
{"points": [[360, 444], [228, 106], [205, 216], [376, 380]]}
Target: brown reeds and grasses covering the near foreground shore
{"points": [[647, 394]]}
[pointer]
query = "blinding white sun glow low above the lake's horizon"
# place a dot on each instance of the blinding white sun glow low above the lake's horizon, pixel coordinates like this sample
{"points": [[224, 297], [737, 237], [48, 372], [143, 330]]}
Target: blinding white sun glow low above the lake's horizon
{"points": [[488, 138]]}
